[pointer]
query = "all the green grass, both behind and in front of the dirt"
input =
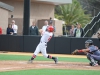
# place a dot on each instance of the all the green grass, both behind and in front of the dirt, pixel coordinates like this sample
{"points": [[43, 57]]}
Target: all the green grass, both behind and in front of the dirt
{"points": [[46, 71]]}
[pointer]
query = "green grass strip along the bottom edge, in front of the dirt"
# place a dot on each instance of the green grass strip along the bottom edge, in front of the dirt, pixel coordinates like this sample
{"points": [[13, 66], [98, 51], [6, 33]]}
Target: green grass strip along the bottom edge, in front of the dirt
{"points": [[51, 72]]}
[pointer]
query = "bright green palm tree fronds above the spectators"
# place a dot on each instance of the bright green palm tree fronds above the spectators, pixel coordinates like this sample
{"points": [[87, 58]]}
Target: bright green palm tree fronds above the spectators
{"points": [[72, 13]]}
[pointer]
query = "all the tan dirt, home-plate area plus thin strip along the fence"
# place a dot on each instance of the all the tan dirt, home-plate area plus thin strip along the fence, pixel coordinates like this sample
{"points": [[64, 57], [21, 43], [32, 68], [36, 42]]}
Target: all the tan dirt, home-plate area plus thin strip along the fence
{"points": [[24, 65]]}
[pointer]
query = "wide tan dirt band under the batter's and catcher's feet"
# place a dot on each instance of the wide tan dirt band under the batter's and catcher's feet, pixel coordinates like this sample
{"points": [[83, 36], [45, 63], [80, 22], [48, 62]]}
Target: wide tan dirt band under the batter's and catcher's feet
{"points": [[23, 65]]}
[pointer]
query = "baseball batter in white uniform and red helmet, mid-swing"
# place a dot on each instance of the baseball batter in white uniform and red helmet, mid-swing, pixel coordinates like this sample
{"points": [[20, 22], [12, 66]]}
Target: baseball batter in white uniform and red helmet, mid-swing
{"points": [[46, 36]]}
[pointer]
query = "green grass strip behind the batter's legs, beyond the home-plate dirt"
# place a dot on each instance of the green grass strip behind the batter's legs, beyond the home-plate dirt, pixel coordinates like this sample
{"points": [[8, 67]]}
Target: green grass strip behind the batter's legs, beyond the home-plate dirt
{"points": [[39, 58]]}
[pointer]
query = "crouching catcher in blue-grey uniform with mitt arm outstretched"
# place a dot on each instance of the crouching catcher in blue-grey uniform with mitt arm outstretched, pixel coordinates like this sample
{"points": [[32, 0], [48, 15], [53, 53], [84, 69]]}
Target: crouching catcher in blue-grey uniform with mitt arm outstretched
{"points": [[93, 53]]}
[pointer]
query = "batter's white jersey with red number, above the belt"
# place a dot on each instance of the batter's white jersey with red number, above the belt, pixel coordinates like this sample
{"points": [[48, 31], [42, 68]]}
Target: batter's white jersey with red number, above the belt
{"points": [[46, 36]]}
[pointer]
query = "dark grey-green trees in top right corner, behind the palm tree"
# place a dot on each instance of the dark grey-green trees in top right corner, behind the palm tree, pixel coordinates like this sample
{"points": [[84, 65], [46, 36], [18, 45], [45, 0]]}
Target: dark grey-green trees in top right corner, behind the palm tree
{"points": [[92, 6]]}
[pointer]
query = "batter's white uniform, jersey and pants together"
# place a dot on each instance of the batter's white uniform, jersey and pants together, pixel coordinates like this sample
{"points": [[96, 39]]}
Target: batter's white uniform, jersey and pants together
{"points": [[43, 43]]}
